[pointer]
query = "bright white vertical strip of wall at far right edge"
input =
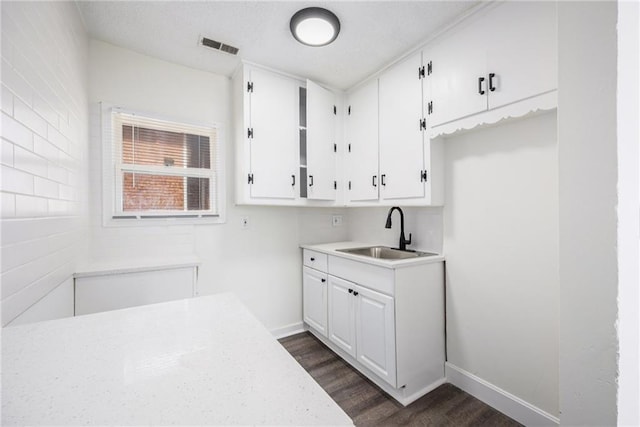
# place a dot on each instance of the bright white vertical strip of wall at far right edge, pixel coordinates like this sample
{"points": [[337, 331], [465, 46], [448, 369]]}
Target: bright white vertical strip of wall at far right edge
{"points": [[628, 211]]}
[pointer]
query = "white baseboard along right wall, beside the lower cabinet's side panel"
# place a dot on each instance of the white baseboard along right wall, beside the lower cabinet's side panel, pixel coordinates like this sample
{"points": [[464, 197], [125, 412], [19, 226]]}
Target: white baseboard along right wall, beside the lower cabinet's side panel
{"points": [[501, 400]]}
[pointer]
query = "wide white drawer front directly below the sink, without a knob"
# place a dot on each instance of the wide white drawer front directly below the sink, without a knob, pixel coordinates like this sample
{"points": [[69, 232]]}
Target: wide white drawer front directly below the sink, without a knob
{"points": [[371, 276]]}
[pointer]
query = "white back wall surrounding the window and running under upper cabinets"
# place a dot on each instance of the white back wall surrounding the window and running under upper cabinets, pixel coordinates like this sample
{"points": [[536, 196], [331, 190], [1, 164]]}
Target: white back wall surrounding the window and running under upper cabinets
{"points": [[261, 264]]}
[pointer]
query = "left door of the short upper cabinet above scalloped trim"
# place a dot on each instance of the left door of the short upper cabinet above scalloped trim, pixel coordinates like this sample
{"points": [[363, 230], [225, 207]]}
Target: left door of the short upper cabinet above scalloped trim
{"points": [[457, 78]]}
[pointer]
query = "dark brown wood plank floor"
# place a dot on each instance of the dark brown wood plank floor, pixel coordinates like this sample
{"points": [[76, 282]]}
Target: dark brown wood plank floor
{"points": [[368, 405]]}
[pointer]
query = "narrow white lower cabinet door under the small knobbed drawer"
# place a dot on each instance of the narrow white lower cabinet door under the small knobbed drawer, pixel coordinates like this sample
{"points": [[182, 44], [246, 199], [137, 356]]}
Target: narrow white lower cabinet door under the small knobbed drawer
{"points": [[314, 299]]}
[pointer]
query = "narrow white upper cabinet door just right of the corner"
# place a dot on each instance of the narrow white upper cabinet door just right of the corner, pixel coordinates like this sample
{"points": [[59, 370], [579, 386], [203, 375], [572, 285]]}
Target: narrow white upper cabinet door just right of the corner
{"points": [[362, 143]]}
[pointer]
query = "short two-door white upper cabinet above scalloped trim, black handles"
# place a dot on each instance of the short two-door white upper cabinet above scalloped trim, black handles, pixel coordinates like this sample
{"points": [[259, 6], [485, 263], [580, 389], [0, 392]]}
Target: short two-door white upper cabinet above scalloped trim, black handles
{"points": [[503, 55]]}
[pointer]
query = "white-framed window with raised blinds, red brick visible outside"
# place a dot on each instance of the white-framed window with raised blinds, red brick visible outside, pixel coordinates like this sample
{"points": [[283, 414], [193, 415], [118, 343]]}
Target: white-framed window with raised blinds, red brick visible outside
{"points": [[159, 169]]}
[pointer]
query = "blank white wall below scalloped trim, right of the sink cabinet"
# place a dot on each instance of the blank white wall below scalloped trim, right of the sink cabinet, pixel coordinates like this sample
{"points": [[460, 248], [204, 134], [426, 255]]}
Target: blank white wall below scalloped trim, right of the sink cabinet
{"points": [[501, 246]]}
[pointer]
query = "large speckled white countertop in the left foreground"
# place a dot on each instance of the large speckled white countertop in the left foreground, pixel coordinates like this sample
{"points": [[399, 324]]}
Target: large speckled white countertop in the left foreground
{"points": [[202, 361]]}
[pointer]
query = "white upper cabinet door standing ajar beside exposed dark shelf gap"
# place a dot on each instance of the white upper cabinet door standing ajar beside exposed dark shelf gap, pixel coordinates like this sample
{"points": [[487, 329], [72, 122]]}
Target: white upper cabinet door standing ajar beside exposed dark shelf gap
{"points": [[321, 140]]}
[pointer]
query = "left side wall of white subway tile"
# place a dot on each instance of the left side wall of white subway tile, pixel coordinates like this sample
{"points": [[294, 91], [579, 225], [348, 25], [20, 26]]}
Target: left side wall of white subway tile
{"points": [[44, 152]]}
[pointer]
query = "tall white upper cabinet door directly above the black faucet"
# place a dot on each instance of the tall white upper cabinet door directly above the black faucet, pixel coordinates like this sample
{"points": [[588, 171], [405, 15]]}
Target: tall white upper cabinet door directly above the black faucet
{"points": [[401, 134]]}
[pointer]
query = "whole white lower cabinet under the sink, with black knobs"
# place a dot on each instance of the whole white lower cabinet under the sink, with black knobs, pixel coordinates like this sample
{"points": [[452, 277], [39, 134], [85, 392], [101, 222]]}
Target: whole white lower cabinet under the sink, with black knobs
{"points": [[387, 322]]}
